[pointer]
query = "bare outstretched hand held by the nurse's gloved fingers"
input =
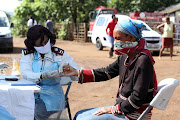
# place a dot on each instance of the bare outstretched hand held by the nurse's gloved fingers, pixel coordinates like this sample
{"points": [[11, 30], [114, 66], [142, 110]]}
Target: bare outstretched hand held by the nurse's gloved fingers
{"points": [[69, 71]]}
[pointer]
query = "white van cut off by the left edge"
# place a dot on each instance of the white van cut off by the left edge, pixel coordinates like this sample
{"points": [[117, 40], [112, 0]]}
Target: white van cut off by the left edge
{"points": [[6, 39]]}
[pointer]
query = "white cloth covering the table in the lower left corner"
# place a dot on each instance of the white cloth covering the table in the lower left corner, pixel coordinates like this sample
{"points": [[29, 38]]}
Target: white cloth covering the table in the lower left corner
{"points": [[18, 100]]}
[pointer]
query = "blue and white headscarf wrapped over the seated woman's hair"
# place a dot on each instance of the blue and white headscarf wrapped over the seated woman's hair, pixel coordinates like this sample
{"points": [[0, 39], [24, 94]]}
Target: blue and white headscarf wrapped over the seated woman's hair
{"points": [[130, 27]]}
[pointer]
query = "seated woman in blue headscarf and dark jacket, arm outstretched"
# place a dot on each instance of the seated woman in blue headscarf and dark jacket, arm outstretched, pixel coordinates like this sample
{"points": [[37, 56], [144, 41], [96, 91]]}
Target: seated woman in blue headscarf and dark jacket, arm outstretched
{"points": [[137, 79]]}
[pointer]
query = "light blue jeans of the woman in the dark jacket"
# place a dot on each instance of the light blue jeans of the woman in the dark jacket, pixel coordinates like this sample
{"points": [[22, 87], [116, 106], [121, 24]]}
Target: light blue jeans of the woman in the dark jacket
{"points": [[87, 115]]}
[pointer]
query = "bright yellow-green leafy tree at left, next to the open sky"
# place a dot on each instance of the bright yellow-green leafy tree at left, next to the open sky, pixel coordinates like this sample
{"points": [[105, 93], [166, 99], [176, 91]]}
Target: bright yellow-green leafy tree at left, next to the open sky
{"points": [[22, 13]]}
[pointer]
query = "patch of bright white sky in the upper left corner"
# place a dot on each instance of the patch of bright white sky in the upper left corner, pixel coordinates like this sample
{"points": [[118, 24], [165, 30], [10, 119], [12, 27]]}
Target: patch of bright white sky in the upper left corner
{"points": [[9, 5]]}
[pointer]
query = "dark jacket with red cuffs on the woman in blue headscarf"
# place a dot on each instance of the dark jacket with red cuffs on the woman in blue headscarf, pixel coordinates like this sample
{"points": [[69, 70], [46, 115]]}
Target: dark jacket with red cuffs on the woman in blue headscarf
{"points": [[136, 83]]}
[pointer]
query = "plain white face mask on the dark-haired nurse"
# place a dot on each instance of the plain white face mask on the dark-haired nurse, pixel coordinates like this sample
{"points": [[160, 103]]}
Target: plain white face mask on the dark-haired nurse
{"points": [[44, 49]]}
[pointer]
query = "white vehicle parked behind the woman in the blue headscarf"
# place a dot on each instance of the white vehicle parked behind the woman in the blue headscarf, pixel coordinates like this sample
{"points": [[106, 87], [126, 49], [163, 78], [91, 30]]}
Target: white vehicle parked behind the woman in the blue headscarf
{"points": [[99, 36]]}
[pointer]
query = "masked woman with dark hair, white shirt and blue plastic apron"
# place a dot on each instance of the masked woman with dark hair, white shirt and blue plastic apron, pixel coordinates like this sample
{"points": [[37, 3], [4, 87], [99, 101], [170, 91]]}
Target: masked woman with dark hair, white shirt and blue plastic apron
{"points": [[40, 63]]}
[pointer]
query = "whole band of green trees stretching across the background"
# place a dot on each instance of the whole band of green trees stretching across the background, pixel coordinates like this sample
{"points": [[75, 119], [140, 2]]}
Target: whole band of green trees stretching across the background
{"points": [[76, 11]]}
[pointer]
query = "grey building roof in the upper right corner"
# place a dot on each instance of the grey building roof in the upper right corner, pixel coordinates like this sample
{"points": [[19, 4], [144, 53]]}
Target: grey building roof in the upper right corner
{"points": [[171, 9]]}
